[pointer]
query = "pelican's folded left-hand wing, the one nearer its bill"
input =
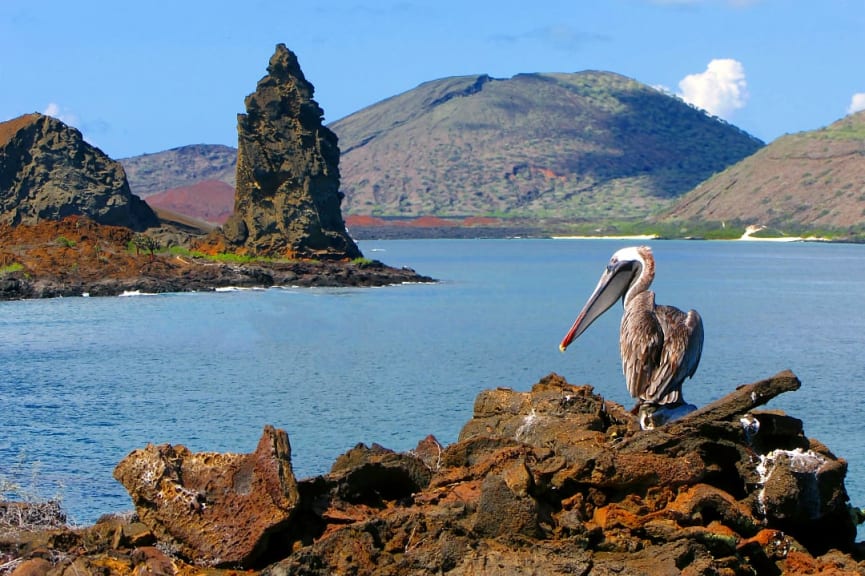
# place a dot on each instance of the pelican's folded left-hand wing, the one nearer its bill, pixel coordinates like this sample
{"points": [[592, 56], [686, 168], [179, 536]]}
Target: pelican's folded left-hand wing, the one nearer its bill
{"points": [[642, 342]]}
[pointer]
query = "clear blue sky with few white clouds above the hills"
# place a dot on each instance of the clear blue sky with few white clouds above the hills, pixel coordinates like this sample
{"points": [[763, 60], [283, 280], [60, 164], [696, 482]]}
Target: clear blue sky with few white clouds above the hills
{"points": [[141, 76]]}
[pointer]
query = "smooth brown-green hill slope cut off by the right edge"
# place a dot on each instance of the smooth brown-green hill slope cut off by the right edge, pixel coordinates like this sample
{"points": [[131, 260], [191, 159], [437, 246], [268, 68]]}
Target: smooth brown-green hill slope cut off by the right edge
{"points": [[812, 179]]}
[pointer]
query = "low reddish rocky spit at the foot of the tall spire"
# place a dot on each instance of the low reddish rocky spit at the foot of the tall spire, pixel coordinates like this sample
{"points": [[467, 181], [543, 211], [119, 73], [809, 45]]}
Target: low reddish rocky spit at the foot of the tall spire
{"points": [[75, 256]]}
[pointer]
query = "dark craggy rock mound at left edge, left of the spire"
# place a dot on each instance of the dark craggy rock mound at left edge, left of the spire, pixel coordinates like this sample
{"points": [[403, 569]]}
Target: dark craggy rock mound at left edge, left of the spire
{"points": [[48, 172]]}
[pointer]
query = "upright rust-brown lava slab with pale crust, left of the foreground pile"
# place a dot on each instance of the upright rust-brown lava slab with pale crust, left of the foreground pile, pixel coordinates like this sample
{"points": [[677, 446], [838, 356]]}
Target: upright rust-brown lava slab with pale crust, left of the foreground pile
{"points": [[214, 509]]}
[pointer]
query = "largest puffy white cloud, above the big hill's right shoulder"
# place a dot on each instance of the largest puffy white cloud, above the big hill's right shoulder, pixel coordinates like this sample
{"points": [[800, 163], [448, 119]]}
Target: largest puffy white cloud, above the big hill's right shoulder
{"points": [[720, 90]]}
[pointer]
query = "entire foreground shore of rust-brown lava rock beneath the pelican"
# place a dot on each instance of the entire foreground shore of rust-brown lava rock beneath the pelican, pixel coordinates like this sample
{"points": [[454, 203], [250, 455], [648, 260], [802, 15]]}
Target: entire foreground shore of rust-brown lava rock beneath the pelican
{"points": [[553, 481]]}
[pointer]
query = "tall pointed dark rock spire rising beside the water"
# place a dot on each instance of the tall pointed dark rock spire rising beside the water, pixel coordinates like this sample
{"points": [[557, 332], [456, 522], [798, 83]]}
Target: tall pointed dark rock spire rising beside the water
{"points": [[287, 202]]}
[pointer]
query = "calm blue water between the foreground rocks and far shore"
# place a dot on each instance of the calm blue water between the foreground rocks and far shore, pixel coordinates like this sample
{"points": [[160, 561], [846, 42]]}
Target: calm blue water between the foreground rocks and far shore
{"points": [[83, 381]]}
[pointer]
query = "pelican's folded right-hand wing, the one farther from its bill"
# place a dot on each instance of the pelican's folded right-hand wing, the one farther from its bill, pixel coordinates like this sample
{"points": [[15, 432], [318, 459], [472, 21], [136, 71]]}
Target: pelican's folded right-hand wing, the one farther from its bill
{"points": [[683, 346]]}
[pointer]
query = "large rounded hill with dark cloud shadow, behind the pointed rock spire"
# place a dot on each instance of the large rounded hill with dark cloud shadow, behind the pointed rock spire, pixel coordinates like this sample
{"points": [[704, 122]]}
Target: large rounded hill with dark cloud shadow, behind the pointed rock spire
{"points": [[587, 145]]}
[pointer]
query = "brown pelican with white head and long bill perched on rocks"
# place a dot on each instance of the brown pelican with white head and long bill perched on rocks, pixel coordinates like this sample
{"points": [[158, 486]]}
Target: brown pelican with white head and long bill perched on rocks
{"points": [[660, 345]]}
